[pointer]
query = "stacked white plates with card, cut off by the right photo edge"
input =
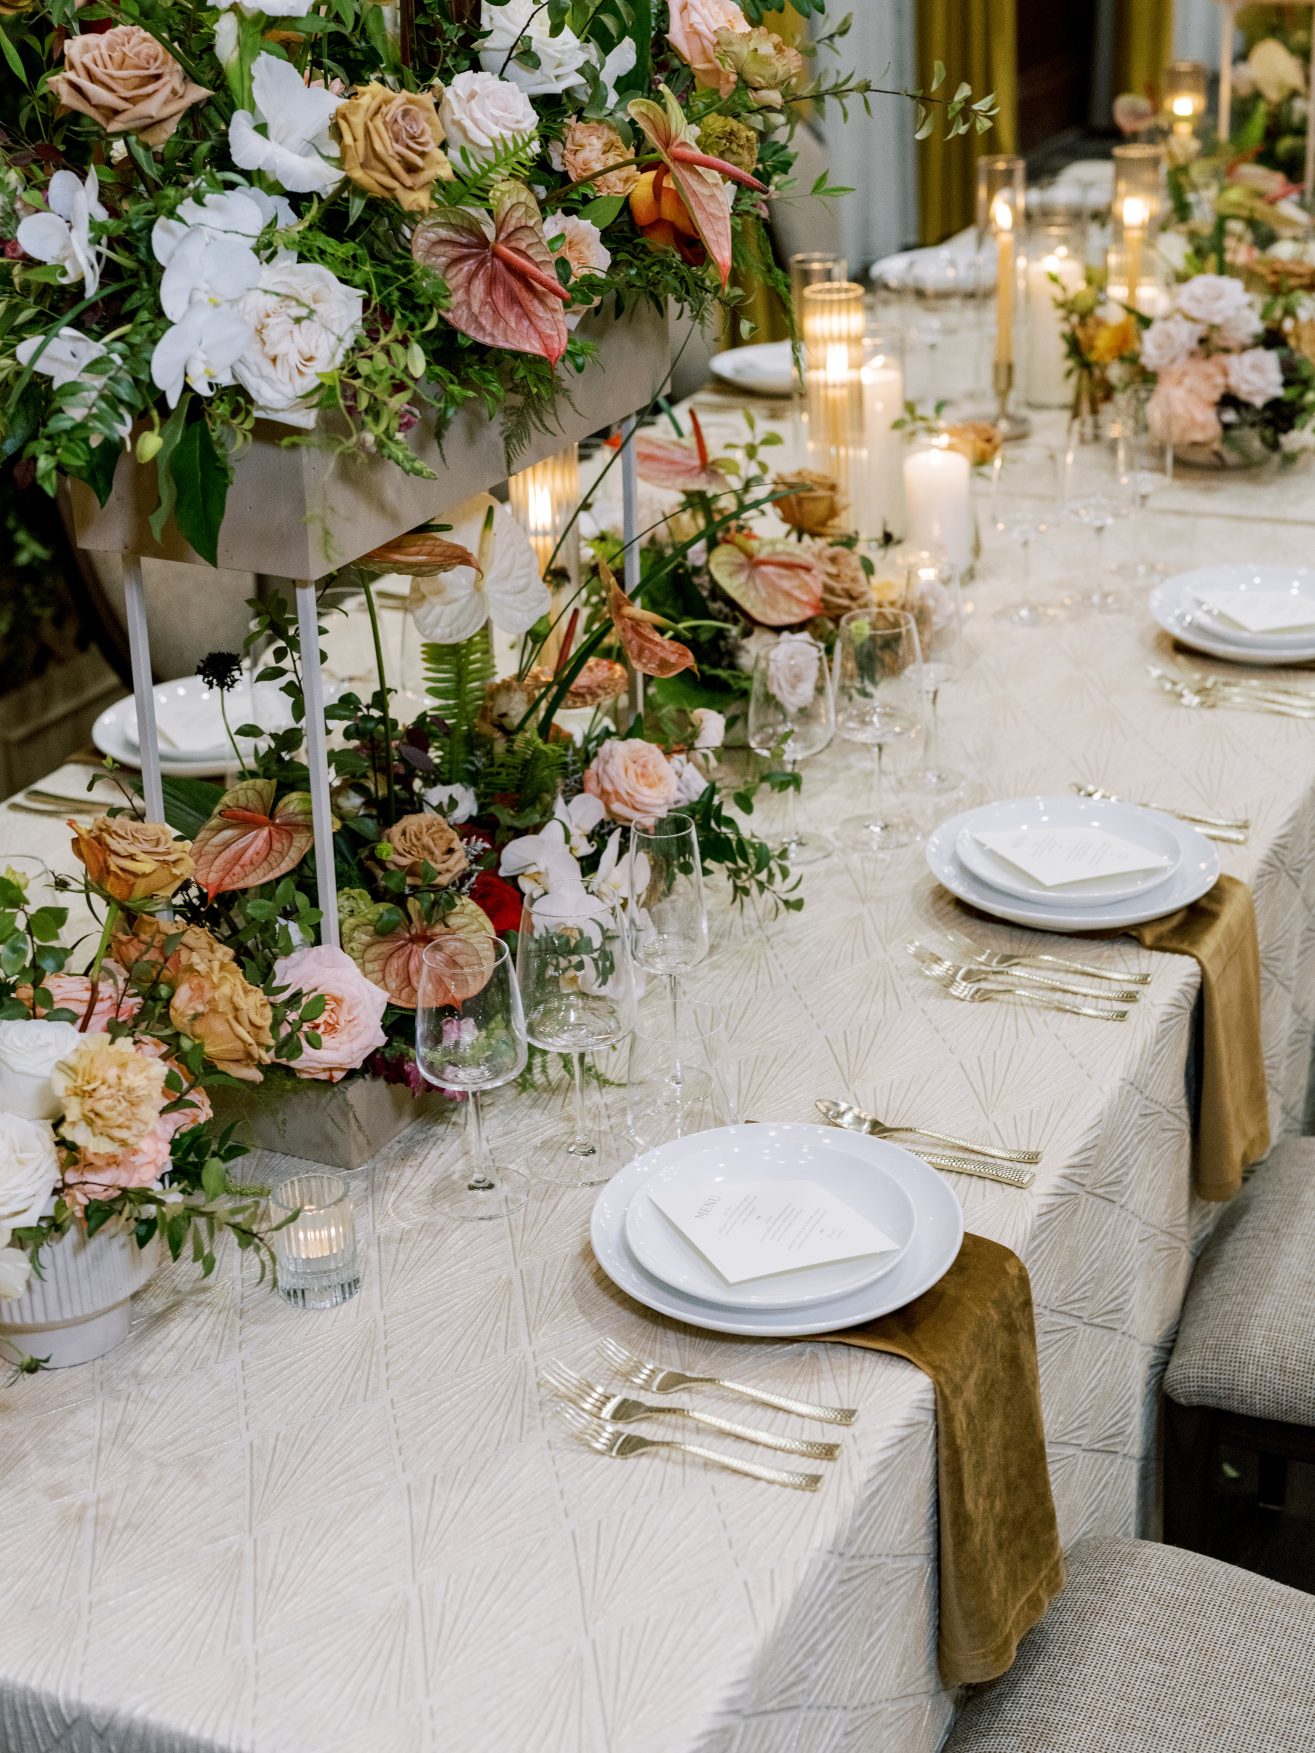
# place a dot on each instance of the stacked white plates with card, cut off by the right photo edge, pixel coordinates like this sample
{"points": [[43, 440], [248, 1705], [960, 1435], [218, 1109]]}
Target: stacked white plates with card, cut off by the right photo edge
{"points": [[1240, 613]]}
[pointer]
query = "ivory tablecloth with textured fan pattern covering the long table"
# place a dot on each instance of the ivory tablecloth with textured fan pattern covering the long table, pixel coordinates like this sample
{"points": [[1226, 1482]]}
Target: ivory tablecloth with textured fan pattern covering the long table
{"points": [[357, 1533]]}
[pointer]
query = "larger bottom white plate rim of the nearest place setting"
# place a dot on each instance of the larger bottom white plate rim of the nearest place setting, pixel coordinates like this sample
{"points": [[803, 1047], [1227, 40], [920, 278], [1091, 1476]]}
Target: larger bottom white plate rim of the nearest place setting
{"points": [[935, 1244]]}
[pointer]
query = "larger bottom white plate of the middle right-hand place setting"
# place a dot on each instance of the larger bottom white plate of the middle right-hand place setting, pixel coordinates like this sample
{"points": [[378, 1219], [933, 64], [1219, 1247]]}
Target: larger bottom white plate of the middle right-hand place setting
{"points": [[1198, 865]]}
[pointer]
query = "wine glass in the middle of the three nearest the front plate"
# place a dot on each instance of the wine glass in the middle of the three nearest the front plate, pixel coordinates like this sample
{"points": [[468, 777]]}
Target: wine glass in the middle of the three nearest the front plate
{"points": [[579, 995]]}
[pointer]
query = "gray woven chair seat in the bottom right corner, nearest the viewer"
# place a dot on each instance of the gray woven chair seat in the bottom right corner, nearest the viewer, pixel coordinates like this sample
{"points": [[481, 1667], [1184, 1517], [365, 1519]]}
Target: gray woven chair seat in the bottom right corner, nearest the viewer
{"points": [[1155, 1650]]}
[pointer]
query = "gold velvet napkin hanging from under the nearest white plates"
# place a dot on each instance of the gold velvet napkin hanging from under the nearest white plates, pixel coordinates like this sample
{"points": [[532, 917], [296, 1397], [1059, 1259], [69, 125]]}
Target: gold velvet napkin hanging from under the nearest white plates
{"points": [[1000, 1559]]}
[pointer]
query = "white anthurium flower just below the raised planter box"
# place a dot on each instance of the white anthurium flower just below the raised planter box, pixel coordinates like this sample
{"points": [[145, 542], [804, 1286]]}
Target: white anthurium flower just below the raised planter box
{"points": [[506, 588]]}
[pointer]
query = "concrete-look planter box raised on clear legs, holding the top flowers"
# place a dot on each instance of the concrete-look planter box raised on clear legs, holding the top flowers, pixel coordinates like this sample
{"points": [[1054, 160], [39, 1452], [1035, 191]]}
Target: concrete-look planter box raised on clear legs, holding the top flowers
{"points": [[301, 513]]}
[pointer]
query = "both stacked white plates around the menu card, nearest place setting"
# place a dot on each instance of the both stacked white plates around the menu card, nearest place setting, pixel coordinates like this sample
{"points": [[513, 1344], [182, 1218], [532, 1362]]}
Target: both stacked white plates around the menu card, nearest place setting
{"points": [[648, 1258]]}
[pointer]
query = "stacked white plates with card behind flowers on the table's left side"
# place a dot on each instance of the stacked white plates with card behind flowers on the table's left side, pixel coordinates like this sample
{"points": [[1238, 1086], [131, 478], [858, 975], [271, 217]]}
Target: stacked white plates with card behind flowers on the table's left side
{"points": [[190, 725]]}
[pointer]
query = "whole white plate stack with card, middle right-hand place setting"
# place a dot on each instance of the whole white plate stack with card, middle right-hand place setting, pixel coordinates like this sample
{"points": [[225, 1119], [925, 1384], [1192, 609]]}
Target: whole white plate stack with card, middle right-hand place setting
{"points": [[993, 858]]}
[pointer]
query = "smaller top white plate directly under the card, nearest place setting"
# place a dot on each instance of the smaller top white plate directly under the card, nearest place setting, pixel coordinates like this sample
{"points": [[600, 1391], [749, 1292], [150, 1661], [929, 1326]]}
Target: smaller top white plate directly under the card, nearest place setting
{"points": [[764, 1154]]}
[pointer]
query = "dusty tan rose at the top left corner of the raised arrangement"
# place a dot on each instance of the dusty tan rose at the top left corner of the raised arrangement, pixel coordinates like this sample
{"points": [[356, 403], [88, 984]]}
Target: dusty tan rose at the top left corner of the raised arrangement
{"points": [[125, 82]]}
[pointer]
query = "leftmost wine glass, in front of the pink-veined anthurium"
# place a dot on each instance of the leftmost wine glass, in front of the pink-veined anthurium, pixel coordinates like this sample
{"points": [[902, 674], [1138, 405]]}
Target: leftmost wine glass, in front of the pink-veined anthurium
{"points": [[469, 1049]]}
